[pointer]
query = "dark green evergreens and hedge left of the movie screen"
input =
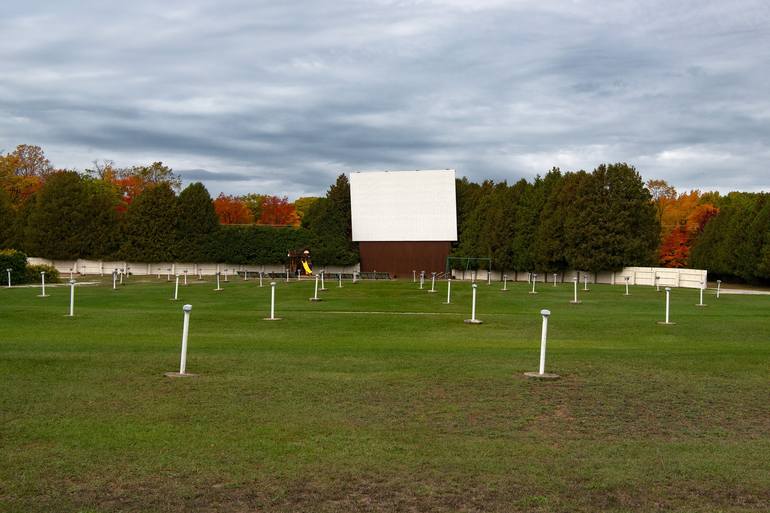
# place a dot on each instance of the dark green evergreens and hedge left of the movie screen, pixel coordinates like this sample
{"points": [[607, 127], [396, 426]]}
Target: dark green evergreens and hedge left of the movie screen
{"points": [[78, 216]]}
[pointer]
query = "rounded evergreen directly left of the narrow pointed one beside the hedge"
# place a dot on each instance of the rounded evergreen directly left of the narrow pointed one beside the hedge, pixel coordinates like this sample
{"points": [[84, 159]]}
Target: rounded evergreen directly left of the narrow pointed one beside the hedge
{"points": [[150, 226]]}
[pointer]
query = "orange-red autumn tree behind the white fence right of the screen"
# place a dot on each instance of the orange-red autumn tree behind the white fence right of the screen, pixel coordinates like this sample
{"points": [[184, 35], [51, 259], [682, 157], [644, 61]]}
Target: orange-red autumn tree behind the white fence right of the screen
{"points": [[682, 218]]}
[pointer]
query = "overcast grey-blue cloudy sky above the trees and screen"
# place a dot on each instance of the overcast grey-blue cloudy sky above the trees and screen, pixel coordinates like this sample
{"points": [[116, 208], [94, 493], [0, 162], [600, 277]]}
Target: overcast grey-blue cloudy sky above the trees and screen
{"points": [[280, 97]]}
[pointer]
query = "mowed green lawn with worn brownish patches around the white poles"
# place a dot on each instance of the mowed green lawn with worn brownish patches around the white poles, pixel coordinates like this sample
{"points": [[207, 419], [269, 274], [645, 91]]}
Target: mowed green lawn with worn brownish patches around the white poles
{"points": [[380, 398]]}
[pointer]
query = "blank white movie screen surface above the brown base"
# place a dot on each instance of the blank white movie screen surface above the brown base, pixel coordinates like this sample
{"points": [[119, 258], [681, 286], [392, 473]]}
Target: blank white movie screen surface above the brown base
{"points": [[403, 206]]}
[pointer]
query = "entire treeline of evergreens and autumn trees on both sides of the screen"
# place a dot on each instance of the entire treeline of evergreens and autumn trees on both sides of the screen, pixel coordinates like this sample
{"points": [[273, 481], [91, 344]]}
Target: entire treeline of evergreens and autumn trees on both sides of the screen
{"points": [[598, 221]]}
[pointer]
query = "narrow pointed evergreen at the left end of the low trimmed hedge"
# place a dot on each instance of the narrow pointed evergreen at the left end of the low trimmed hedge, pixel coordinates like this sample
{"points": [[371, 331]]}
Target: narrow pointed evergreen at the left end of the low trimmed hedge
{"points": [[197, 223]]}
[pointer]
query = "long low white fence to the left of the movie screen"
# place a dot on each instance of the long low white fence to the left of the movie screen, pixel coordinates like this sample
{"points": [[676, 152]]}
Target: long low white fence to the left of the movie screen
{"points": [[99, 267]]}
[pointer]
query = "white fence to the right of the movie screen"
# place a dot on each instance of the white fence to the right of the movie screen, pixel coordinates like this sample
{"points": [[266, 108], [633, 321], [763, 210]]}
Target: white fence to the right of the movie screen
{"points": [[652, 276]]}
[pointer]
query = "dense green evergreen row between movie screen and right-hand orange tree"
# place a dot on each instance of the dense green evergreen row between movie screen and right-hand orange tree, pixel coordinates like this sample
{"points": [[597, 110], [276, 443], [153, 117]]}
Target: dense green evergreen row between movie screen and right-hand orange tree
{"points": [[598, 221]]}
